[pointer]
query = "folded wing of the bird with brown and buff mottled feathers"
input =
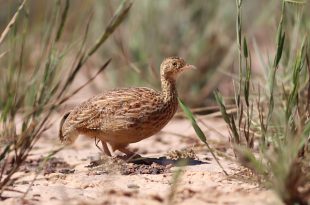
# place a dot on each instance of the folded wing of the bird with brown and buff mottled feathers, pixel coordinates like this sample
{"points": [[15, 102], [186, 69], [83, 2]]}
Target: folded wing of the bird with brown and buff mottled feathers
{"points": [[113, 110]]}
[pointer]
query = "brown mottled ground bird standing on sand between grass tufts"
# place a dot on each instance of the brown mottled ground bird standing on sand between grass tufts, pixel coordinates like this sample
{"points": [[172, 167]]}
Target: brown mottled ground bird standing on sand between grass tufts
{"points": [[123, 116]]}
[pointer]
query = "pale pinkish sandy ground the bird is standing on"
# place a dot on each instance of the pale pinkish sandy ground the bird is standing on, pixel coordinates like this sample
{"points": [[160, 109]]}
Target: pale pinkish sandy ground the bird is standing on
{"points": [[72, 176]]}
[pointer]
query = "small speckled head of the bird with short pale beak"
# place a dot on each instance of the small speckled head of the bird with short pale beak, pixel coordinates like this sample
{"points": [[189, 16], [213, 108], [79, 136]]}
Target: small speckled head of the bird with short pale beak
{"points": [[173, 66]]}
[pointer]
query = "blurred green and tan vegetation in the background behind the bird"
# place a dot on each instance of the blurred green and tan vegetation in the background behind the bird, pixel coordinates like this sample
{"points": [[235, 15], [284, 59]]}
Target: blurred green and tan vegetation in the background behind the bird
{"points": [[202, 32]]}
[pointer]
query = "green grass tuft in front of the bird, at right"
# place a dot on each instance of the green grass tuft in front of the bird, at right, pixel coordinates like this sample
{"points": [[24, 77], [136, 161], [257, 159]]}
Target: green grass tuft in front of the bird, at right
{"points": [[281, 118]]}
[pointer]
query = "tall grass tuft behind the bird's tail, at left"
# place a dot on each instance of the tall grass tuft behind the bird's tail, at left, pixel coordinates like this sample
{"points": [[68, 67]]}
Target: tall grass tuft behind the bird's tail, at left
{"points": [[30, 94]]}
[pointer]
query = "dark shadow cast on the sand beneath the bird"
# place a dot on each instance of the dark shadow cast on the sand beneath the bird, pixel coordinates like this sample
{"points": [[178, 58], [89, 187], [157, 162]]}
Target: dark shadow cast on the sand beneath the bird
{"points": [[165, 161]]}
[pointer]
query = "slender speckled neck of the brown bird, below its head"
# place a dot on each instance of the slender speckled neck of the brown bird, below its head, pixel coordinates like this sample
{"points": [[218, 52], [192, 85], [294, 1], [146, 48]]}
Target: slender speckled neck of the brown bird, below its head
{"points": [[169, 90]]}
